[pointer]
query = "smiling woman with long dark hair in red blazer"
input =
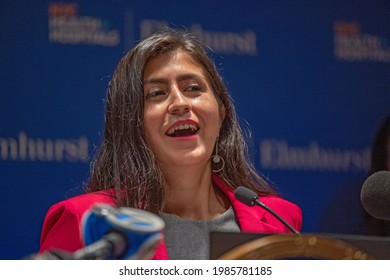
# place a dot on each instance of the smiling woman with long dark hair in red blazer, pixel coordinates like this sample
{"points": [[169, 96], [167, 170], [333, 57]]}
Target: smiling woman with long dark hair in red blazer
{"points": [[172, 146]]}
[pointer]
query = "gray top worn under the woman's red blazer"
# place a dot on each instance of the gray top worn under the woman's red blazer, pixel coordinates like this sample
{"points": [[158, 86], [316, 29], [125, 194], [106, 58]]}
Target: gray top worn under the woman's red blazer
{"points": [[190, 240]]}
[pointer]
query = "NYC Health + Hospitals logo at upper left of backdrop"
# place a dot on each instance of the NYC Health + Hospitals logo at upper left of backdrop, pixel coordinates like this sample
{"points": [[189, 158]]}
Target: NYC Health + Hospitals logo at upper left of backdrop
{"points": [[66, 26]]}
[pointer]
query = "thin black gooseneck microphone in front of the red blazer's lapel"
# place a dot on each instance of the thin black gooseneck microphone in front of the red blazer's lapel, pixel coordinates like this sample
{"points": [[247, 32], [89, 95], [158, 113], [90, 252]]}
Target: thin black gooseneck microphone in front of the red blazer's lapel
{"points": [[250, 198]]}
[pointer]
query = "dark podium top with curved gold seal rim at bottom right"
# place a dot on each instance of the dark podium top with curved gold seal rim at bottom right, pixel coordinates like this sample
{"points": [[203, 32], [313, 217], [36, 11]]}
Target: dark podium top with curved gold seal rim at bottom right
{"points": [[247, 246]]}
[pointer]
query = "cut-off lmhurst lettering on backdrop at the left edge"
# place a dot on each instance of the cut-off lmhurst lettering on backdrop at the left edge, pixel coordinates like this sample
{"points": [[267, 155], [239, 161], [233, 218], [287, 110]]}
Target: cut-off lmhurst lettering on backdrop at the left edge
{"points": [[25, 148]]}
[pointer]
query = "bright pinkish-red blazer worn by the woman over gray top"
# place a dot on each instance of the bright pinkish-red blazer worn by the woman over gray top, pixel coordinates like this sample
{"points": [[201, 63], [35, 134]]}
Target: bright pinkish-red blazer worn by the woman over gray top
{"points": [[61, 228]]}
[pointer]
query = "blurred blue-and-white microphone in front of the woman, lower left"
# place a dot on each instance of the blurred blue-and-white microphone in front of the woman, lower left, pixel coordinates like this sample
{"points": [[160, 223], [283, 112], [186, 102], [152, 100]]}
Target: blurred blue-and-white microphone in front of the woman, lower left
{"points": [[114, 233]]}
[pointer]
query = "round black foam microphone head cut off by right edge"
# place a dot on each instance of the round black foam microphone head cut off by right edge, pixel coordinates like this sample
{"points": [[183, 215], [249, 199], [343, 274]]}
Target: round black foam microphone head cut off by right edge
{"points": [[375, 195]]}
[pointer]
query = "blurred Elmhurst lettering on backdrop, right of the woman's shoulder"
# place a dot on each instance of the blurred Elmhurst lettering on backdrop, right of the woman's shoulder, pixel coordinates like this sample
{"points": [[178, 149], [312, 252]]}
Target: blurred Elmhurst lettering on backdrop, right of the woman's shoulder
{"points": [[278, 154]]}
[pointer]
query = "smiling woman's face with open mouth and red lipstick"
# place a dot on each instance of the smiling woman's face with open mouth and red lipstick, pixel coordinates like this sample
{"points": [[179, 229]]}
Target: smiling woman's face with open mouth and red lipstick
{"points": [[182, 117]]}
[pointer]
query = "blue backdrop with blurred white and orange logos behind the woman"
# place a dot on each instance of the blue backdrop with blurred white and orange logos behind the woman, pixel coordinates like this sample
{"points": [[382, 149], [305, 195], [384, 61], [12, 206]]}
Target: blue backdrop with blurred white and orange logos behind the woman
{"points": [[309, 78]]}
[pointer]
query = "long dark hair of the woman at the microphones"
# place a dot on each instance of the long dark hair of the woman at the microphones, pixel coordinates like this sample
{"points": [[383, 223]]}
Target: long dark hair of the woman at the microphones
{"points": [[125, 161]]}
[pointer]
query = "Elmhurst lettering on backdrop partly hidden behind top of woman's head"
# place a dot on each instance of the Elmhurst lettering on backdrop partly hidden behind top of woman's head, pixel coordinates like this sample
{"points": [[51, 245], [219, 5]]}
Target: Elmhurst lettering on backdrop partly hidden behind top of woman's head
{"points": [[241, 43]]}
